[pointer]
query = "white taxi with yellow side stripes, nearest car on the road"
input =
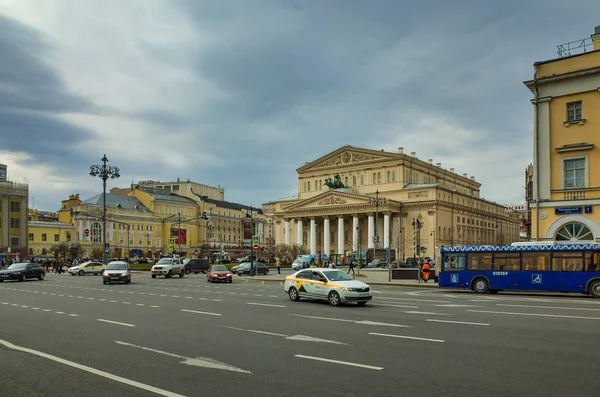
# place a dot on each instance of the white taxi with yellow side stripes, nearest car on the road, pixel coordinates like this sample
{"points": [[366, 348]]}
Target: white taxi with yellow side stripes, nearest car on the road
{"points": [[331, 285]]}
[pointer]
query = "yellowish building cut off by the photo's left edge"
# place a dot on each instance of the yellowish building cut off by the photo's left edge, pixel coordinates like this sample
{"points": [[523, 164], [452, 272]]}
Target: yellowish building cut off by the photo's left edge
{"points": [[14, 199]]}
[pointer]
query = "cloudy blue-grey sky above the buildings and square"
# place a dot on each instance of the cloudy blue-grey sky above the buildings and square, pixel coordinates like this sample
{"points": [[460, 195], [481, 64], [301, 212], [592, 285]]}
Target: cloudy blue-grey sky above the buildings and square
{"points": [[239, 93]]}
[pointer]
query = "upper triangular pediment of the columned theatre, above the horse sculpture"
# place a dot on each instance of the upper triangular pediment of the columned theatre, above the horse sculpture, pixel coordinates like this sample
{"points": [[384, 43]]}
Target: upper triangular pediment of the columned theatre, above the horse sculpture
{"points": [[345, 156]]}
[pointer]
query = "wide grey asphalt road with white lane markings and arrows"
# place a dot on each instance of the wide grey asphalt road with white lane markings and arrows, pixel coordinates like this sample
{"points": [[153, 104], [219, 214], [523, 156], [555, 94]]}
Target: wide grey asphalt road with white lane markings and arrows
{"points": [[73, 336]]}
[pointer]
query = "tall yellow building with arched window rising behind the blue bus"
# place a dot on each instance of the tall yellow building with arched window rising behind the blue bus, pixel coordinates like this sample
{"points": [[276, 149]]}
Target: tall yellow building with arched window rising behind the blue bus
{"points": [[565, 203]]}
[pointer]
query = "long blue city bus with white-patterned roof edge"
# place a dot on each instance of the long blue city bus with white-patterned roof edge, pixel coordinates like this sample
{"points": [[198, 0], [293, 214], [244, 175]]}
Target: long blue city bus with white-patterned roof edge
{"points": [[523, 266]]}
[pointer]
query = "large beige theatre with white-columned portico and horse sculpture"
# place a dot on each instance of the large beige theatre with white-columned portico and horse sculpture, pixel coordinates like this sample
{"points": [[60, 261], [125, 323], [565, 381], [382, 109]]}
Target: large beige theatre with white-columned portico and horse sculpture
{"points": [[384, 193]]}
